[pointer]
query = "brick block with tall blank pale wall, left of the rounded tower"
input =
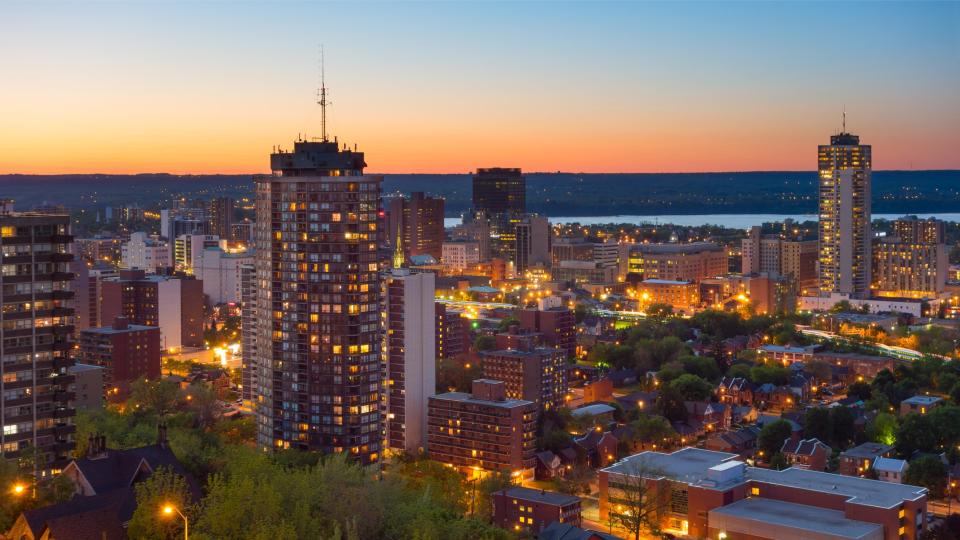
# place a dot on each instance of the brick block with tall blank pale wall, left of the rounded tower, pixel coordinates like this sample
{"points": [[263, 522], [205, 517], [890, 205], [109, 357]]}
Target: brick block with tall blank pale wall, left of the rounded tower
{"points": [[172, 303]]}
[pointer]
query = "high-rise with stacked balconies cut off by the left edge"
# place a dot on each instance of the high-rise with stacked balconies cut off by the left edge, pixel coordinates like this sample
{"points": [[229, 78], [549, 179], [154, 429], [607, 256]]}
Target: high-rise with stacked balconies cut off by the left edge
{"points": [[36, 328]]}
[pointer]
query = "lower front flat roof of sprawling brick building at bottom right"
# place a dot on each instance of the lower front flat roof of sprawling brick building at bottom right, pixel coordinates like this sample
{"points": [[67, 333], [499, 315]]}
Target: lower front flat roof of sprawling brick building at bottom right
{"points": [[750, 512]]}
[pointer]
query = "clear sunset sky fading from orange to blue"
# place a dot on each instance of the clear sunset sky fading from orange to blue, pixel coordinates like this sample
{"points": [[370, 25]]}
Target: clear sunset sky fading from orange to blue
{"points": [[136, 86]]}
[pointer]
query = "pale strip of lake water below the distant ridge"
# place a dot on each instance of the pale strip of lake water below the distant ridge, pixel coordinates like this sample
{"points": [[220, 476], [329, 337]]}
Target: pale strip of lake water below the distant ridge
{"points": [[736, 221]]}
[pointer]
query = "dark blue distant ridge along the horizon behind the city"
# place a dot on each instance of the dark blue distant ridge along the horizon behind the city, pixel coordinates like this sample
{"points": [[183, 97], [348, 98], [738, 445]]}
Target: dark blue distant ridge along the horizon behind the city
{"points": [[567, 194]]}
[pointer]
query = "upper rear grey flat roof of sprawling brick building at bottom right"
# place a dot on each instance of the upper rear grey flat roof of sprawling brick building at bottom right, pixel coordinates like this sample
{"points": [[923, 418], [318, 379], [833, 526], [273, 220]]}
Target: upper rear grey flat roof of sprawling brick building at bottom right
{"points": [[691, 466]]}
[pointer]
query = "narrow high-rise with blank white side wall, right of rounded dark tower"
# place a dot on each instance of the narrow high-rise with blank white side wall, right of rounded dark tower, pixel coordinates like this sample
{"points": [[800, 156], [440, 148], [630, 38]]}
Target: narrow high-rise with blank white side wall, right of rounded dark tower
{"points": [[411, 358]]}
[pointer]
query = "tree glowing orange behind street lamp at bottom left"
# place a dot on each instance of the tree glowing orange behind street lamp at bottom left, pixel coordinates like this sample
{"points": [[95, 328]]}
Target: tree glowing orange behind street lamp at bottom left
{"points": [[164, 487]]}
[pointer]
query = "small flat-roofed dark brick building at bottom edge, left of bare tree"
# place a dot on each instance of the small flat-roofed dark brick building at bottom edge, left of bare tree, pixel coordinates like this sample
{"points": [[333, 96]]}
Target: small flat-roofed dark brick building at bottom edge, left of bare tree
{"points": [[531, 510]]}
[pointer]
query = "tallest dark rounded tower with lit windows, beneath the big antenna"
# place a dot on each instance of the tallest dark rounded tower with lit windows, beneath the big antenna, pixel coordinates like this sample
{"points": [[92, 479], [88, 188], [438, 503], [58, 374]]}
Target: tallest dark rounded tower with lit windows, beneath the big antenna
{"points": [[318, 293]]}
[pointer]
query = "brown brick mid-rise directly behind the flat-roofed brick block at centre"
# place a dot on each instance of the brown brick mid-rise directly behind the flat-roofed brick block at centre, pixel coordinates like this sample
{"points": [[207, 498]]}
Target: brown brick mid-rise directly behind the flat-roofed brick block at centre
{"points": [[534, 374]]}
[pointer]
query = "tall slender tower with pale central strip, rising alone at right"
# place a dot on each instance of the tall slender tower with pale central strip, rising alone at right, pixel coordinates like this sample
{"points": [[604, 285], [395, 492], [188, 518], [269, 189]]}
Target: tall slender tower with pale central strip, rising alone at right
{"points": [[845, 233]]}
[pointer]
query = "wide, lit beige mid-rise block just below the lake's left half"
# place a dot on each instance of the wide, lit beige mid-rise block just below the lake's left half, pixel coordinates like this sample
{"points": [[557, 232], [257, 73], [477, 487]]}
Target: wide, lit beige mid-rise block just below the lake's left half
{"points": [[694, 262]]}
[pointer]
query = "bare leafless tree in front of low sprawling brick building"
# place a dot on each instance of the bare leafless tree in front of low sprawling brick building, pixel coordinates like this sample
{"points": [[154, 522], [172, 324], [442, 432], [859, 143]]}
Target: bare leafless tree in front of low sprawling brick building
{"points": [[639, 498]]}
